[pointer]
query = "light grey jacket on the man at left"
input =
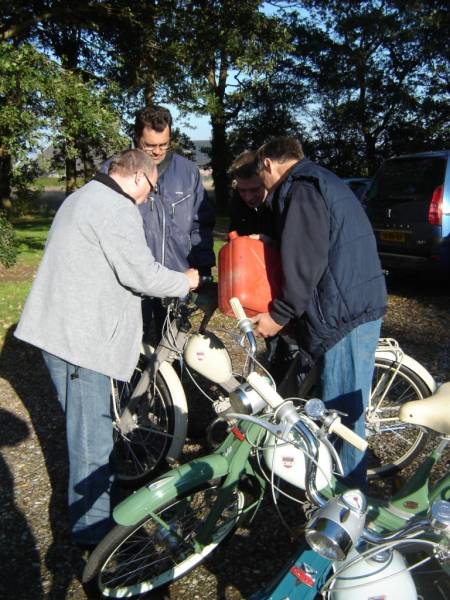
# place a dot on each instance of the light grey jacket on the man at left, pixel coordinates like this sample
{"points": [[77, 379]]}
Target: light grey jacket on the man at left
{"points": [[84, 305]]}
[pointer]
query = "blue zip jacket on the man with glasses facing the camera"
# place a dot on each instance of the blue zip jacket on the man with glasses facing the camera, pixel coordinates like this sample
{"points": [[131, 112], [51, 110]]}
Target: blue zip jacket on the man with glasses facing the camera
{"points": [[178, 217]]}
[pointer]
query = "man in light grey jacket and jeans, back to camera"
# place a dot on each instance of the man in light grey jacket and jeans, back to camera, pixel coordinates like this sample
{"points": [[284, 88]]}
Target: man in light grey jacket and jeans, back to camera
{"points": [[84, 312]]}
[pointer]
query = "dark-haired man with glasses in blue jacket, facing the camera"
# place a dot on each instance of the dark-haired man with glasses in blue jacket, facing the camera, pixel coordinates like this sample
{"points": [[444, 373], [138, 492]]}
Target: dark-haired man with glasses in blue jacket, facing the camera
{"points": [[178, 217]]}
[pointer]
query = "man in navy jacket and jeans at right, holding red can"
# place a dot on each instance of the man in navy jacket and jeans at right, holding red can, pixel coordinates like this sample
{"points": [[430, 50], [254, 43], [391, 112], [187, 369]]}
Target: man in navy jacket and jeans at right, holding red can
{"points": [[334, 289]]}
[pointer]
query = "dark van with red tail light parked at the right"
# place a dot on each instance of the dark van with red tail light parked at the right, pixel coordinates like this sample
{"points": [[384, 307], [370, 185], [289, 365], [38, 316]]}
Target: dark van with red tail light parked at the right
{"points": [[408, 205]]}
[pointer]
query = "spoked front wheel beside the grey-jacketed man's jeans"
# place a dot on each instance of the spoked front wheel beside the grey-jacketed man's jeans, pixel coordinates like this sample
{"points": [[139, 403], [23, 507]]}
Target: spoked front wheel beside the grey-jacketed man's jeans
{"points": [[145, 427]]}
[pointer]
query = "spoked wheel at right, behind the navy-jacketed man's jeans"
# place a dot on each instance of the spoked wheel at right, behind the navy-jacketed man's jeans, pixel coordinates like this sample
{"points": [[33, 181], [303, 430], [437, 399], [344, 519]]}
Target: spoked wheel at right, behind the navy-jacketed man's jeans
{"points": [[392, 444]]}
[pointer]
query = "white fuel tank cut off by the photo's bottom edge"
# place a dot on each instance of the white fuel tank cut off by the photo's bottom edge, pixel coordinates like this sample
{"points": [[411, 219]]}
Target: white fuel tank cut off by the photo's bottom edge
{"points": [[368, 579]]}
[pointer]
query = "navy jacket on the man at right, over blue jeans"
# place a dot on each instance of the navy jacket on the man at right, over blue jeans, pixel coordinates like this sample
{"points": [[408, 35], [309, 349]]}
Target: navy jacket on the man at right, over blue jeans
{"points": [[333, 277]]}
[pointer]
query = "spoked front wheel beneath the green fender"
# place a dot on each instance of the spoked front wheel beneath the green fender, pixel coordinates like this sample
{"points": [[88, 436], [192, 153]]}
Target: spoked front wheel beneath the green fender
{"points": [[134, 560]]}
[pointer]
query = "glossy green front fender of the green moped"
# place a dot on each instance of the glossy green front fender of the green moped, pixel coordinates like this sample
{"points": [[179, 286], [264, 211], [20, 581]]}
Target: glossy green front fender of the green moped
{"points": [[168, 486]]}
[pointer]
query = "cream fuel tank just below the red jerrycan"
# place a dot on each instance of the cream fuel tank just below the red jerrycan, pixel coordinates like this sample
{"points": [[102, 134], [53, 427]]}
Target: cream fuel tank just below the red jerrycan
{"points": [[206, 354]]}
